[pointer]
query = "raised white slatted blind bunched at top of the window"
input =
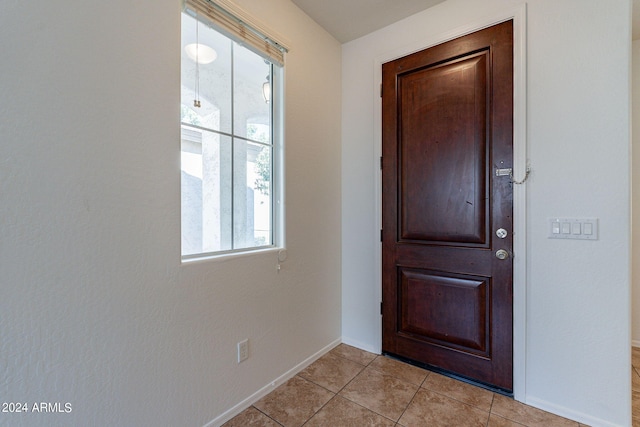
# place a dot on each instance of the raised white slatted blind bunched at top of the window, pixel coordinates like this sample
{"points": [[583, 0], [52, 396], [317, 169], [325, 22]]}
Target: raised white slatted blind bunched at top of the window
{"points": [[258, 40]]}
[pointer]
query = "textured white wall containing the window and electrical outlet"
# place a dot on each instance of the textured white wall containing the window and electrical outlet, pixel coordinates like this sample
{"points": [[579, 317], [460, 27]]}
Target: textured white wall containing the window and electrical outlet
{"points": [[96, 309]]}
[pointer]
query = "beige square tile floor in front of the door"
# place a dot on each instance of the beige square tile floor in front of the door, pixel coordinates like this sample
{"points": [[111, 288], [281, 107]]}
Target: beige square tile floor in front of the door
{"points": [[350, 387]]}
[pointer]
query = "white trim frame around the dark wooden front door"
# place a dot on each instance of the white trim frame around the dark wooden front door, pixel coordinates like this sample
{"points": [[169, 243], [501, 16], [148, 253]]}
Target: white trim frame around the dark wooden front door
{"points": [[519, 16]]}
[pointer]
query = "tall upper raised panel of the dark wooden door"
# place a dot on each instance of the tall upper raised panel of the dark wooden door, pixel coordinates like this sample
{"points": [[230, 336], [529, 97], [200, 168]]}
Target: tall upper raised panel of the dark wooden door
{"points": [[445, 145]]}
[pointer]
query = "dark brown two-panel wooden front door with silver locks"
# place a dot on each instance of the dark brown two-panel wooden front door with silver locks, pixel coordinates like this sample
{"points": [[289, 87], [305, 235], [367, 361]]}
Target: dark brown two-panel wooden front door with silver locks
{"points": [[447, 128]]}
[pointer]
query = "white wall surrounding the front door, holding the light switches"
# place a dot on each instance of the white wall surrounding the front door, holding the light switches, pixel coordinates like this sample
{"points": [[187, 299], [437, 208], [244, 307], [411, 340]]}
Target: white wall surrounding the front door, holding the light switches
{"points": [[577, 292]]}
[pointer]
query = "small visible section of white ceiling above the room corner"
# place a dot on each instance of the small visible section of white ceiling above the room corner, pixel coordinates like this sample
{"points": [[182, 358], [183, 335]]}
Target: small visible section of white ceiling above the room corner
{"points": [[347, 20]]}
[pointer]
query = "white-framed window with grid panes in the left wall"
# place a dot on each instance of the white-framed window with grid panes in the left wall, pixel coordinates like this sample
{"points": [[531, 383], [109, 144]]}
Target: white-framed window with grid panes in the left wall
{"points": [[230, 142]]}
